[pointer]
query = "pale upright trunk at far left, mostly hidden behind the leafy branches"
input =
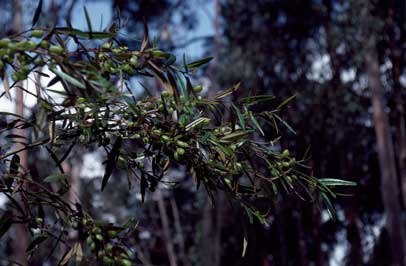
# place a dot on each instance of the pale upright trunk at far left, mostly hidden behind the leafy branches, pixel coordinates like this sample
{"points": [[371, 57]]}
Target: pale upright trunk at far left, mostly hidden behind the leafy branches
{"points": [[20, 241]]}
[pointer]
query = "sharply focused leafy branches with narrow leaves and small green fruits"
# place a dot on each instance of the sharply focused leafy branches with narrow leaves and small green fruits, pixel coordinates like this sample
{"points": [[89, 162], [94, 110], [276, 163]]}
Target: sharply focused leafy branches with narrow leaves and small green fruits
{"points": [[144, 137]]}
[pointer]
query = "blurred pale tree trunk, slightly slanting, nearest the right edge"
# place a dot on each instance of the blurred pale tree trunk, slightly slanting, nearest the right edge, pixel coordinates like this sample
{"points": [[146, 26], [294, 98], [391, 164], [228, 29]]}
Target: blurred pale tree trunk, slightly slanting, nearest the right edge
{"points": [[389, 182]]}
